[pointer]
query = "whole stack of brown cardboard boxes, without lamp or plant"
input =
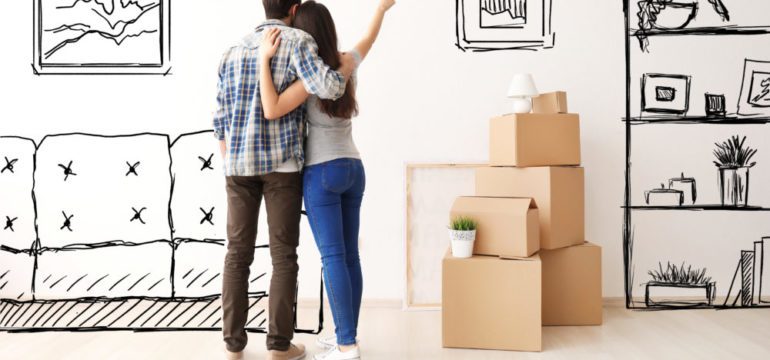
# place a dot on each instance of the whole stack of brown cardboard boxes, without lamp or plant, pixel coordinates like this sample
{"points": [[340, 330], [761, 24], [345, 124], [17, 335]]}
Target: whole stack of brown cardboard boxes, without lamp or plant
{"points": [[531, 266]]}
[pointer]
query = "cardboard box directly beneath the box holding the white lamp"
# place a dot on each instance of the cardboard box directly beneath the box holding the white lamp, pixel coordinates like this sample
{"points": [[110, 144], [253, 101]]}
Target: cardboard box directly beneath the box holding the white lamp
{"points": [[558, 193]]}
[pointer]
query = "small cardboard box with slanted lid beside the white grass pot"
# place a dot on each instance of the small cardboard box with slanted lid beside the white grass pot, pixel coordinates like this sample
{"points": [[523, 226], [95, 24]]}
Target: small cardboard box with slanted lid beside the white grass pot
{"points": [[505, 226]]}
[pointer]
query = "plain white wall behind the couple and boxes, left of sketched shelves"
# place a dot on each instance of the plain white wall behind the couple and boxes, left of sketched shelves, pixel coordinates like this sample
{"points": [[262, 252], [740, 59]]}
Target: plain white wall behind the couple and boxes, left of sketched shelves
{"points": [[421, 100]]}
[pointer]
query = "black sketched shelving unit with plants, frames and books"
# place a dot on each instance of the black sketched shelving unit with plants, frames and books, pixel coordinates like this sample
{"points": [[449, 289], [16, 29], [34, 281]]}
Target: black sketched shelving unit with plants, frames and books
{"points": [[658, 98]]}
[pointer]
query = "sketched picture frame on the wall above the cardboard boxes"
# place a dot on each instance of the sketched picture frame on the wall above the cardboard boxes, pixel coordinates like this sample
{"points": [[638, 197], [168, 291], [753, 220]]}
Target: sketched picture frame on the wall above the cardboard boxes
{"points": [[490, 25]]}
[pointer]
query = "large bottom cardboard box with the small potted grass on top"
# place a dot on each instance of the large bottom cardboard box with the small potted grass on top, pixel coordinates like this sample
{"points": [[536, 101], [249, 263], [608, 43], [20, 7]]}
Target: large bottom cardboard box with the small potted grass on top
{"points": [[492, 303]]}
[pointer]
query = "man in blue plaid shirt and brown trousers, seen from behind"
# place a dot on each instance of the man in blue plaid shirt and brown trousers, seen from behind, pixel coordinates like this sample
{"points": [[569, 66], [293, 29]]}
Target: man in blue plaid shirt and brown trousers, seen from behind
{"points": [[263, 158]]}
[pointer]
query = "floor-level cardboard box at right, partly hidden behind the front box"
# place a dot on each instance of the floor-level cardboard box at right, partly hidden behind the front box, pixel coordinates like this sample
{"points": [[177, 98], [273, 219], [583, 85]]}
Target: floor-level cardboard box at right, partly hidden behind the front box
{"points": [[572, 285]]}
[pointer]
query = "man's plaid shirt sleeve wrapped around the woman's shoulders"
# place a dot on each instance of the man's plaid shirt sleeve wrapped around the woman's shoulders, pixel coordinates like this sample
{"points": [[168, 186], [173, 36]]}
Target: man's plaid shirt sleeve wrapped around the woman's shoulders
{"points": [[317, 77]]}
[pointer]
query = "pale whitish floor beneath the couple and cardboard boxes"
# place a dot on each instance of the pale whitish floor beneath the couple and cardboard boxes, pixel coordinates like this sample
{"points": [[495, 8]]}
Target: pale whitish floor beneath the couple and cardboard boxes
{"points": [[389, 333]]}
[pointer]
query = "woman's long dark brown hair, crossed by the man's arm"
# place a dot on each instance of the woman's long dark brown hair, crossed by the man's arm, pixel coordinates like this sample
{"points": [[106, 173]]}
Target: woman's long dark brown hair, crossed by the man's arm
{"points": [[315, 19]]}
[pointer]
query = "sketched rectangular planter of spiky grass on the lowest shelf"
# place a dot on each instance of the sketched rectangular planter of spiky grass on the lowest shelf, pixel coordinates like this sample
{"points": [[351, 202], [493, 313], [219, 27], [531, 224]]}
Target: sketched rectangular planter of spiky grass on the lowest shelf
{"points": [[692, 288]]}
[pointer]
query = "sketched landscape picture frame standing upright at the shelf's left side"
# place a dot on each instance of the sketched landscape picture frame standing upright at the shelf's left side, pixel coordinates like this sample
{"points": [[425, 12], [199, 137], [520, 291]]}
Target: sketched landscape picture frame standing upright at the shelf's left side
{"points": [[666, 94]]}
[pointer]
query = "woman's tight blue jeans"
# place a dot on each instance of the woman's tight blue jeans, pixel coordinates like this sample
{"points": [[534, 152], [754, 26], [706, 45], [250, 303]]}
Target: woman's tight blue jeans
{"points": [[333, 192]]}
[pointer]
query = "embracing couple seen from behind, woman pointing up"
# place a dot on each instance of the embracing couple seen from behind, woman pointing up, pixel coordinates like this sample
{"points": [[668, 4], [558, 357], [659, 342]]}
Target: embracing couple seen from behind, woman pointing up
{"points": [[284, 79]]}
